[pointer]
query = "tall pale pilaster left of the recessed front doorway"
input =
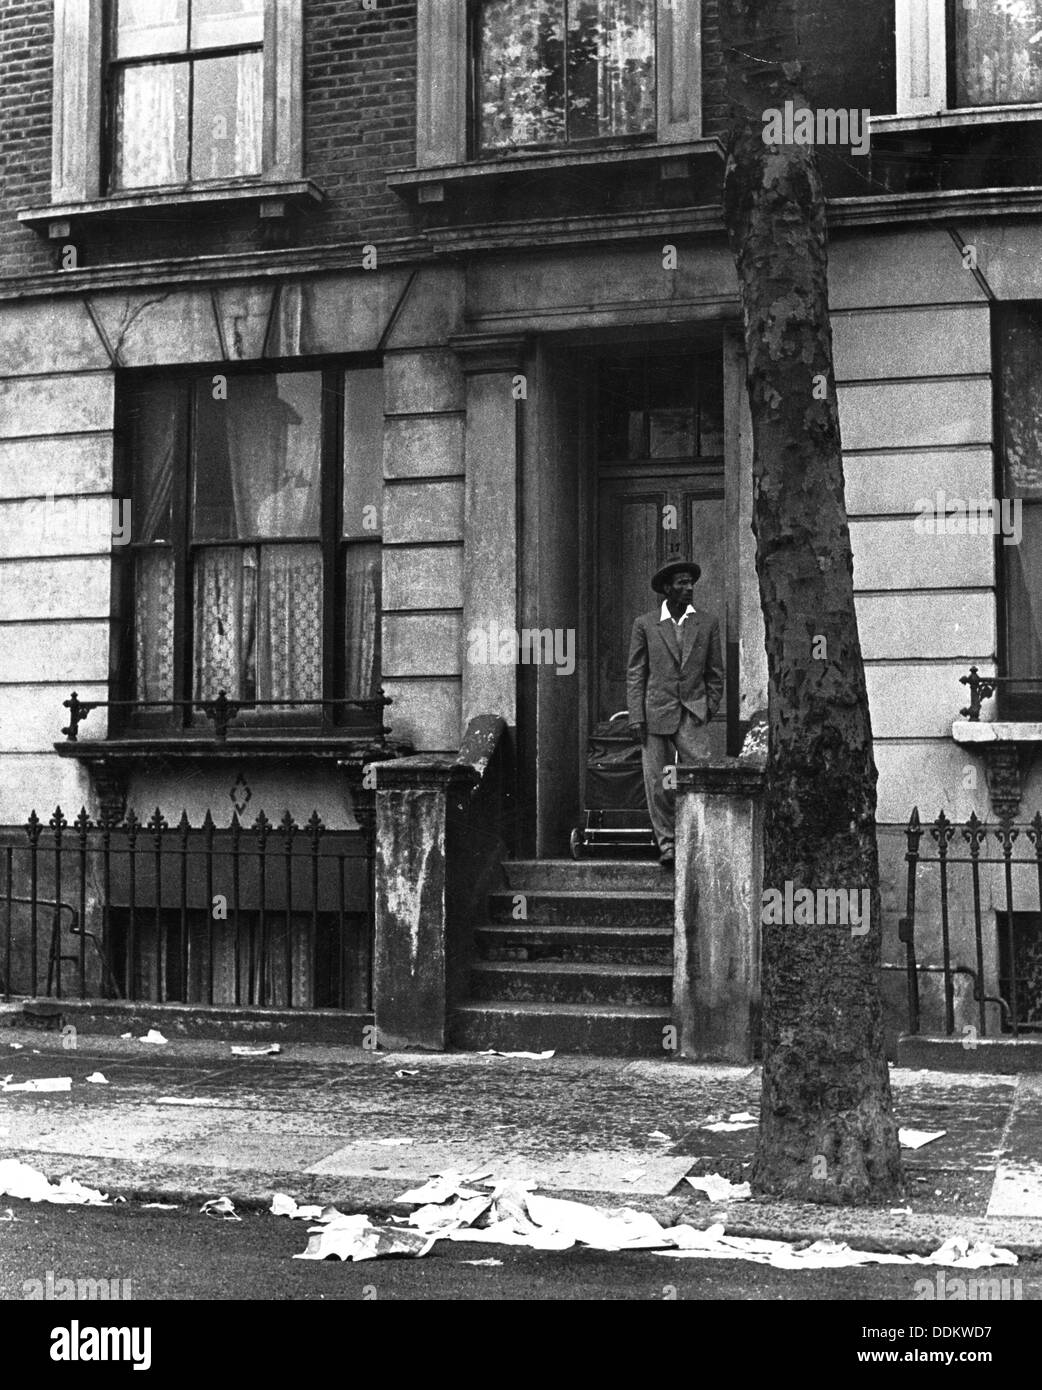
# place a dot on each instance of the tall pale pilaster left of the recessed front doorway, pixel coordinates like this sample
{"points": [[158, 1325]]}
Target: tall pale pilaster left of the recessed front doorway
{"points": [[491, 365]]}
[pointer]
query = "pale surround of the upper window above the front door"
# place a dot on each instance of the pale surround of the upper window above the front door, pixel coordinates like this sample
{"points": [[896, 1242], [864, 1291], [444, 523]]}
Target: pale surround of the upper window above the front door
{"points": [[445, 85]]}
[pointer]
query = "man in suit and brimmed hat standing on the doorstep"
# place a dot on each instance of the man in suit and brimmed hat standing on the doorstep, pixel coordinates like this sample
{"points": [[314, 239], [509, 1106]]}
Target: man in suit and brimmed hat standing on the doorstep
{"points": [[675, 686]]}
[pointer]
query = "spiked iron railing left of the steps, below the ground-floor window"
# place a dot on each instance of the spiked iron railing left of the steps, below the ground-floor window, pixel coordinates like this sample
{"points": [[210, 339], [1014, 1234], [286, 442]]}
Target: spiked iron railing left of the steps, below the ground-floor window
{"points": [[270, 915]]}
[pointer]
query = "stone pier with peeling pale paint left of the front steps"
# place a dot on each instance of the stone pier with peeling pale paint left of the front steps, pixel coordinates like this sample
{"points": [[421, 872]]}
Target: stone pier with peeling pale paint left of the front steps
{"points": [[409, 960]]}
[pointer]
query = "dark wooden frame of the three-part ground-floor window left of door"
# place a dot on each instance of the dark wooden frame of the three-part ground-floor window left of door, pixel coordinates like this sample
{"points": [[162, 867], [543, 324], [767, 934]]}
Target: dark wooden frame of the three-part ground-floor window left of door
{"points": [[336, 548]]}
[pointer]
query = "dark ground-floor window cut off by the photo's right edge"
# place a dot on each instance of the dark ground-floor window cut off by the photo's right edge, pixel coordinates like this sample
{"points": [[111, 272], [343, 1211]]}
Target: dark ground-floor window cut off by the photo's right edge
{"points": [[1022, 425]]}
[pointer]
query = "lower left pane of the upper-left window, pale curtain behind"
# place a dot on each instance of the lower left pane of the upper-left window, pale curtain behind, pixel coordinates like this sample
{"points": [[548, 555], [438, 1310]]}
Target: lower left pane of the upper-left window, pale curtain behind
{"points": [[152, 126]]}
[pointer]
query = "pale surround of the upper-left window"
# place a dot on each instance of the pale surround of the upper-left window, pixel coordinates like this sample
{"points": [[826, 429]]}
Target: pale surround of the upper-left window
{"points": [[81, 152]]}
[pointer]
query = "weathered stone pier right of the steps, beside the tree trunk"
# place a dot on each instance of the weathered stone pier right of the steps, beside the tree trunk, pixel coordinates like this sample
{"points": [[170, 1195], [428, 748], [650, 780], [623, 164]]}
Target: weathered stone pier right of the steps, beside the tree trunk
{"points": [[716, 986]]}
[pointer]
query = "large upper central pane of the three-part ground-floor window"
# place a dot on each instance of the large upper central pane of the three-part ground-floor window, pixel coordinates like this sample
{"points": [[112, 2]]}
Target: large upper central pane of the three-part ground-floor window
{"points": [[258, 464]]}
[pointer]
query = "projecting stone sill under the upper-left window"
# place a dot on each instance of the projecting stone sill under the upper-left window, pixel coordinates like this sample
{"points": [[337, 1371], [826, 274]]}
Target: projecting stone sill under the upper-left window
{"points": [[272, 199]]}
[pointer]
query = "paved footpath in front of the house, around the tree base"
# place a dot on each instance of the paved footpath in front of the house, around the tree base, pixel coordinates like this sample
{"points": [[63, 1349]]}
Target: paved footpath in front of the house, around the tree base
{"points": [[188, 1120]]}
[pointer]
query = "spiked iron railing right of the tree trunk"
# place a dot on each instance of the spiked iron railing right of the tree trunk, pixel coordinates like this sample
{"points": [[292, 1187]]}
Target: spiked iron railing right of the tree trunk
{"points": [[1004, 950]]}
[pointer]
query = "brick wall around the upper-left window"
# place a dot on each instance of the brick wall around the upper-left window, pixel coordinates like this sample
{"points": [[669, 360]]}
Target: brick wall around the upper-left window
{"points": [[359, 122]]}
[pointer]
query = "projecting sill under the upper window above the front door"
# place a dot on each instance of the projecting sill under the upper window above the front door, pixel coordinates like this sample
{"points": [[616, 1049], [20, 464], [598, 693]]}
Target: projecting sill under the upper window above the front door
{"points": [[429, 184]]}
